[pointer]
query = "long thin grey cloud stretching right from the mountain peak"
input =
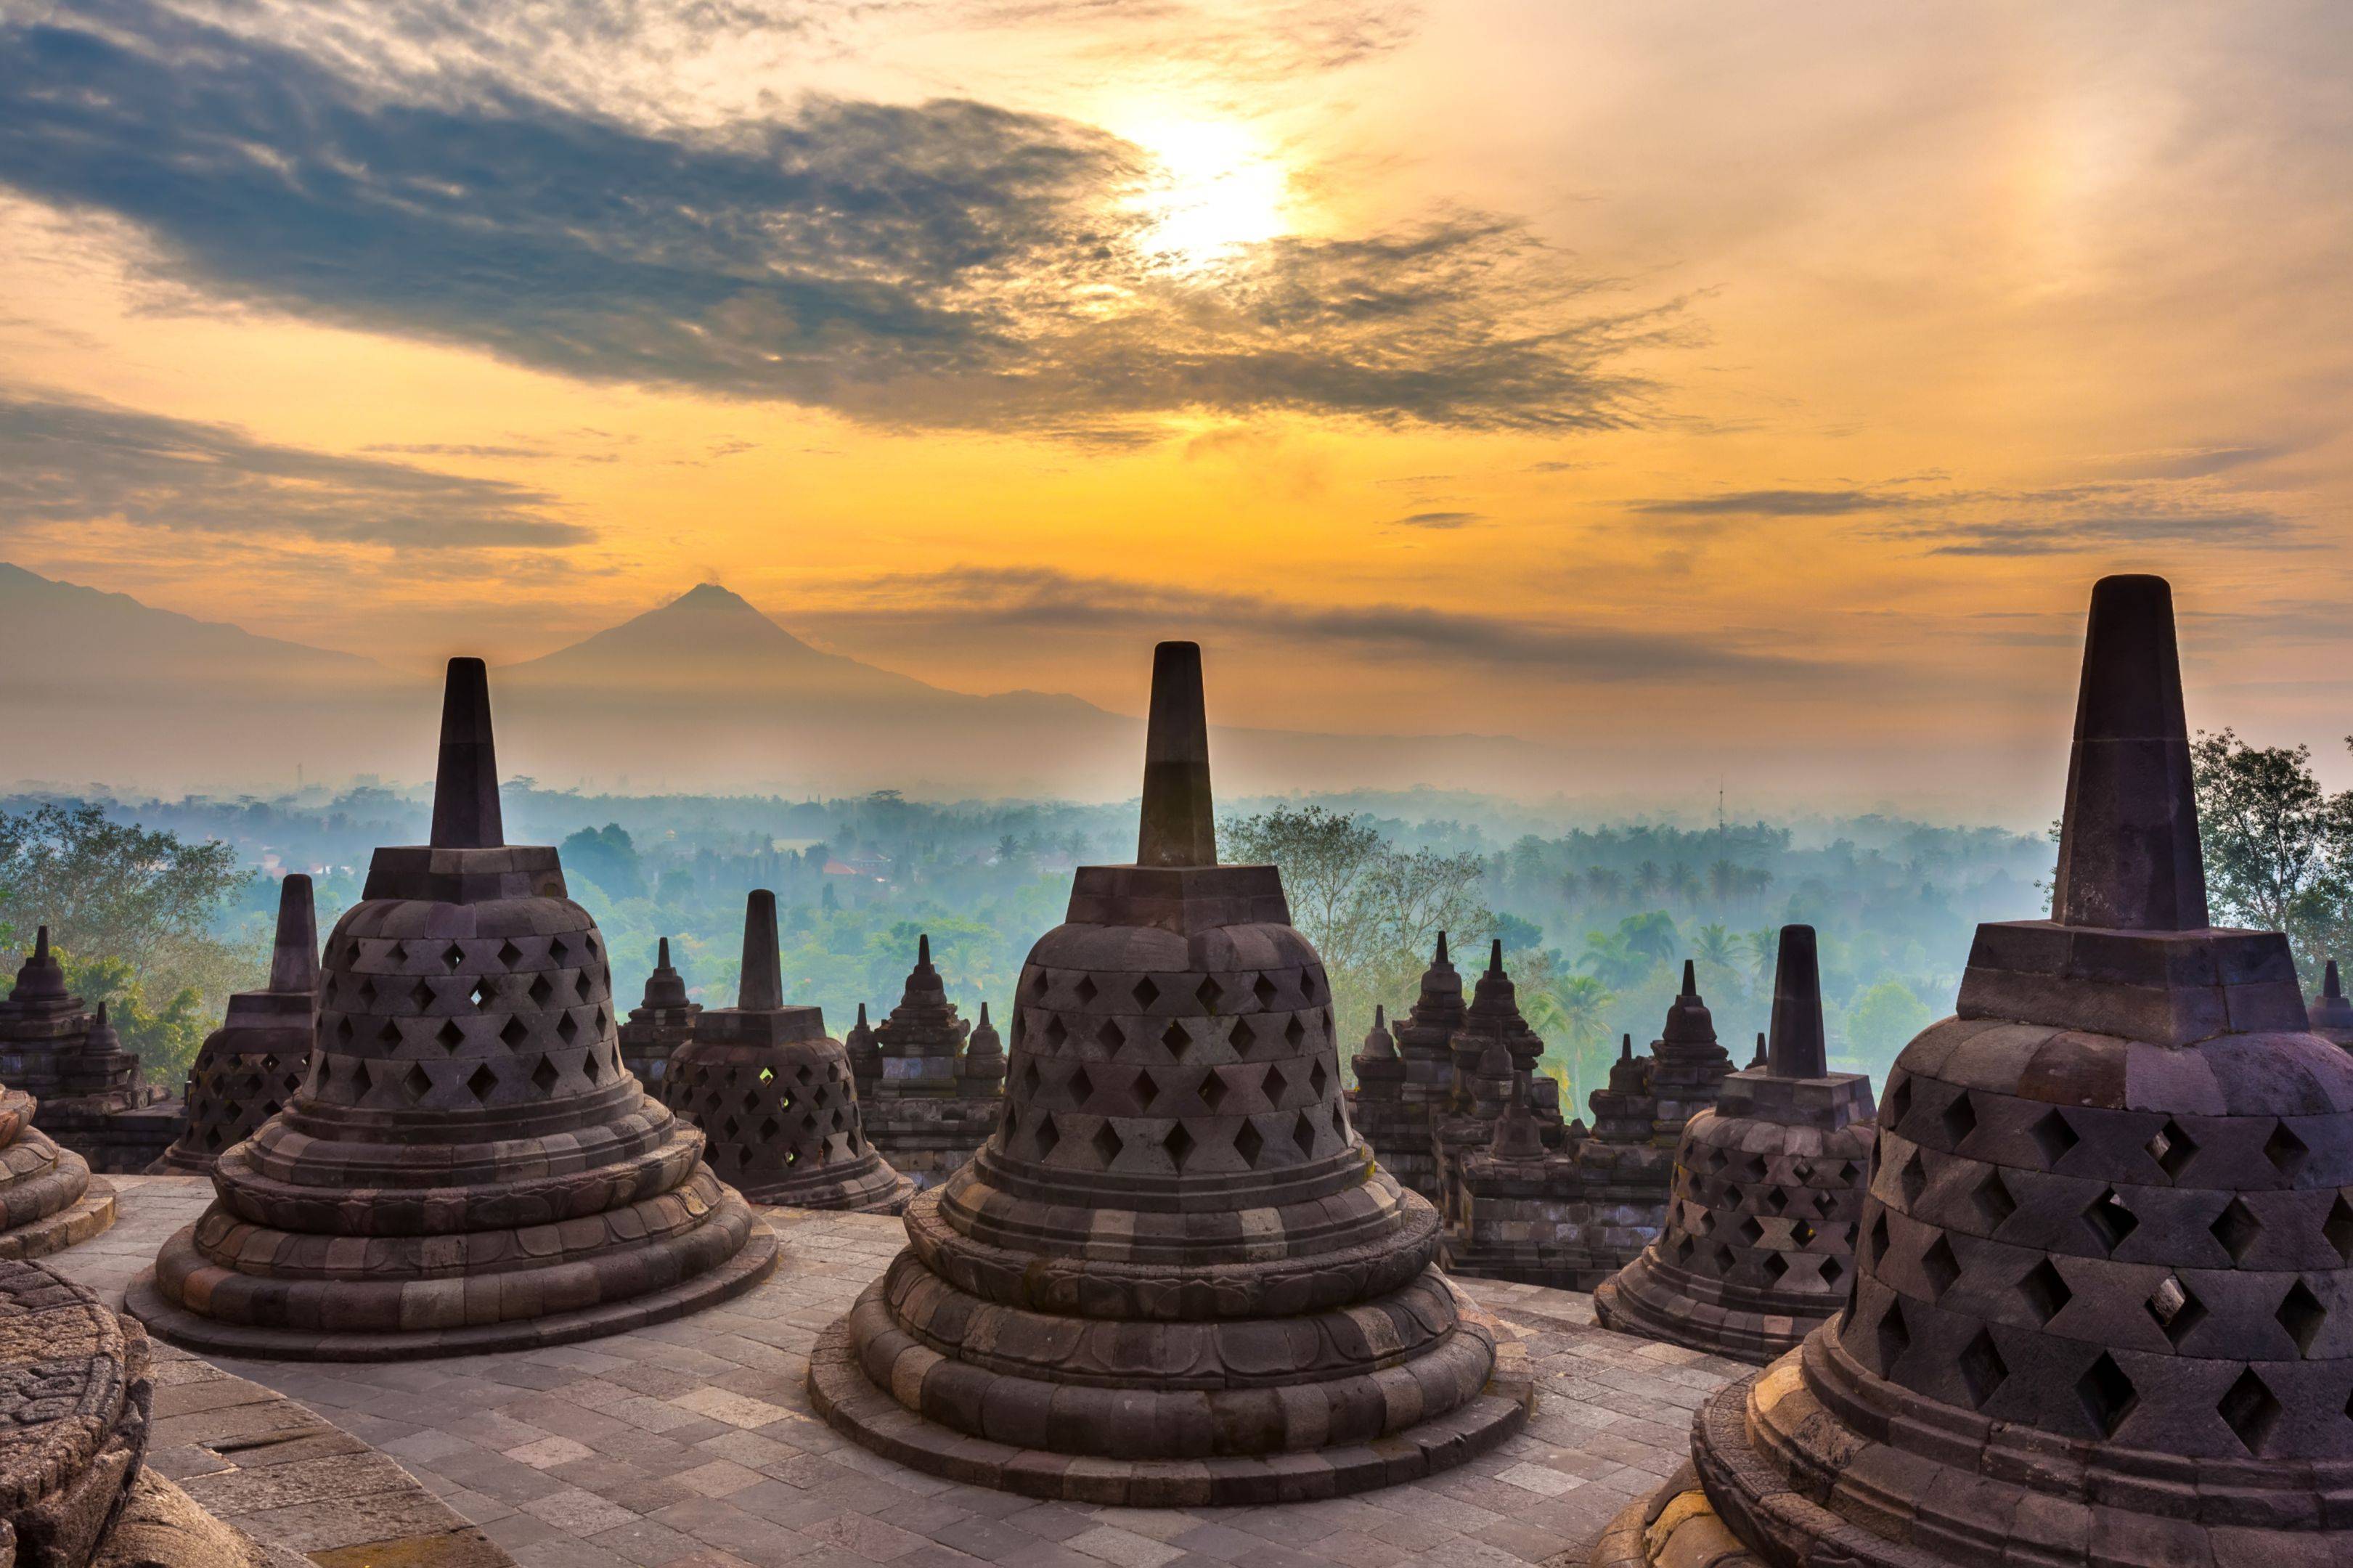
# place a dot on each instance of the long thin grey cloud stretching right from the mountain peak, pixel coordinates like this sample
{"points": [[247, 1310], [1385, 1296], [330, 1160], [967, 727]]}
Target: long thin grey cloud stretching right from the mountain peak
{"points": [[1046, 602]]}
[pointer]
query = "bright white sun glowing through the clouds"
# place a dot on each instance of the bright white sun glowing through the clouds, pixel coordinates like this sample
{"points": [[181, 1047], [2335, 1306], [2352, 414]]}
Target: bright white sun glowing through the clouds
{"points": [[1213, 190]]}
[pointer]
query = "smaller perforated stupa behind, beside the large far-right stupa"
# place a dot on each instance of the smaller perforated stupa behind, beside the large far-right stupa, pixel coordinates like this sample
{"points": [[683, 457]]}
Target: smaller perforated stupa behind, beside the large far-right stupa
{"points": [[1759, 1240]]}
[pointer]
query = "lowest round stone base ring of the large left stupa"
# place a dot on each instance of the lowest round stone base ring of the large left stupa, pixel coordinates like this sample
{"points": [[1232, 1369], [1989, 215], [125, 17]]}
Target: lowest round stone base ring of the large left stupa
{"points": [[284, 1343]]}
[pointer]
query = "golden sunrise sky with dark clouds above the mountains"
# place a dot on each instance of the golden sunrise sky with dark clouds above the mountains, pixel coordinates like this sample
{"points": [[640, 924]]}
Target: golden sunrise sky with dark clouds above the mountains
{"points": [[1721, 390]]}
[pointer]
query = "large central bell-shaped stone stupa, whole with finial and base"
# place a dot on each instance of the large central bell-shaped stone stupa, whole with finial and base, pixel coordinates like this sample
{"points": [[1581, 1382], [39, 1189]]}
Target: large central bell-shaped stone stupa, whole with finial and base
{"points": [[1161, 1280]]}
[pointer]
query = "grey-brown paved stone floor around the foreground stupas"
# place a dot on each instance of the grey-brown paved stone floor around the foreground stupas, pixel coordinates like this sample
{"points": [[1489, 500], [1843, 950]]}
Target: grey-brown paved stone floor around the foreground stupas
{"points": [[693, 1444]]}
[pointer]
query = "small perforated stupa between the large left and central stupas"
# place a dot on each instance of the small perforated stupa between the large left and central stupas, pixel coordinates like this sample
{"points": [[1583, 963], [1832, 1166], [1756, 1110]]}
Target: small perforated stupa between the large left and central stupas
{"points": [[775, 1096]]}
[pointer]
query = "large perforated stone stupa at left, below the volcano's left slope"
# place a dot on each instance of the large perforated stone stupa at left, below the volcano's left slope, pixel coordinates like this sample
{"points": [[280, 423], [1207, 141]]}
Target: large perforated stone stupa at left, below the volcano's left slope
{"points": [[467, 1164]]}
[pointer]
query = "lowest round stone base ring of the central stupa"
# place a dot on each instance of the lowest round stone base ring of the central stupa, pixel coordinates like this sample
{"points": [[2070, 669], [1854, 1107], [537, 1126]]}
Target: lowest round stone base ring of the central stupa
{"points": [[876, 1421]]}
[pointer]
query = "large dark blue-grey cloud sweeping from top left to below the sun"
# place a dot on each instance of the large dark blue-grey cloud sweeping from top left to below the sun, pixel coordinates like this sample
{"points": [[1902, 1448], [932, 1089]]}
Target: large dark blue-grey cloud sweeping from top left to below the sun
{"points": [[933, 267]]}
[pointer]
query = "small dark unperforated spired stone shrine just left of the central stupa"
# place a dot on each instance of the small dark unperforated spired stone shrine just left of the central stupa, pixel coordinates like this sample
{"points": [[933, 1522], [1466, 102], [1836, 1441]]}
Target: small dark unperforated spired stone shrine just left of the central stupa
{"points": [[928, 1084]]}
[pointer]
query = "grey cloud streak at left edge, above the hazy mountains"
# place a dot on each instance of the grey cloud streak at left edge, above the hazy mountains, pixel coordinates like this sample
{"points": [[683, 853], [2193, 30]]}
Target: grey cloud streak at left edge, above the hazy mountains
{"points": [[93, 463]]}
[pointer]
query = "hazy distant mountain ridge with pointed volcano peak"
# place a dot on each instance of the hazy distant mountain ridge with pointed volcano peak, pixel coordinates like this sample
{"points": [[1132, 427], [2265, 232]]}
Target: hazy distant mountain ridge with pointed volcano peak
{"points": [[702, 693]]}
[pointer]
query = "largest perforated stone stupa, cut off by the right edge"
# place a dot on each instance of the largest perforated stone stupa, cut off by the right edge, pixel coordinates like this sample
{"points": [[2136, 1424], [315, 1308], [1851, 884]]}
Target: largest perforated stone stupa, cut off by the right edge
{"points": [[2105, 1303]]}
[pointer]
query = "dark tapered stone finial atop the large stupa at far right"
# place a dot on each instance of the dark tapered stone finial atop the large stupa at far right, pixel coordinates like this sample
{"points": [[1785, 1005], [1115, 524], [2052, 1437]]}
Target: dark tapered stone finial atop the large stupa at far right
{"points": [[2128, 842]]}
